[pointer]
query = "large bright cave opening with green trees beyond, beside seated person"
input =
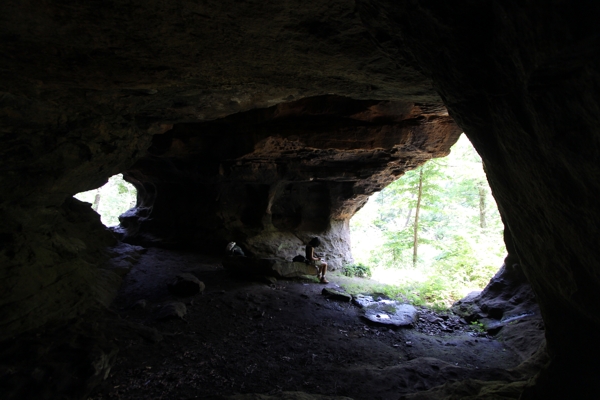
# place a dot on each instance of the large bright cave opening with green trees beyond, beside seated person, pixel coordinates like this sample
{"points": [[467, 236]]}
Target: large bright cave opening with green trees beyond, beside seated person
{"points": [[459, 236]]}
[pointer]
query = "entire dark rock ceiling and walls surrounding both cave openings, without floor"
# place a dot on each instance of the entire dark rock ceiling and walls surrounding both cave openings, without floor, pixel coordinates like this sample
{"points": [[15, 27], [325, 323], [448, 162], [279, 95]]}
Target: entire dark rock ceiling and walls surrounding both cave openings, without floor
{"points": [[170, 92]]}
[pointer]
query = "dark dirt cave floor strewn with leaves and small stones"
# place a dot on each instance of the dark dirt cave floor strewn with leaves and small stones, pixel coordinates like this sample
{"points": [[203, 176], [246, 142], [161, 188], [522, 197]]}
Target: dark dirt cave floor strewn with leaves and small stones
{"points": [[243, 336]]}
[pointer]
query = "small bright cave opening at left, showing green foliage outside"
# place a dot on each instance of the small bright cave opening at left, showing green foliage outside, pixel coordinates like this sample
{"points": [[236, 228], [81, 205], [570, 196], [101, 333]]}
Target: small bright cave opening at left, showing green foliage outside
{"points": [[111, 200]]}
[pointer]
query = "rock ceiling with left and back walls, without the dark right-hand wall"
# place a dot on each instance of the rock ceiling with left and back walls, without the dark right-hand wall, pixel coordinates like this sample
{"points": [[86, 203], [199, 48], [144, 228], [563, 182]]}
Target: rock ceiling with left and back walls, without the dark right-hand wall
{"points": [[87, 91]]}
